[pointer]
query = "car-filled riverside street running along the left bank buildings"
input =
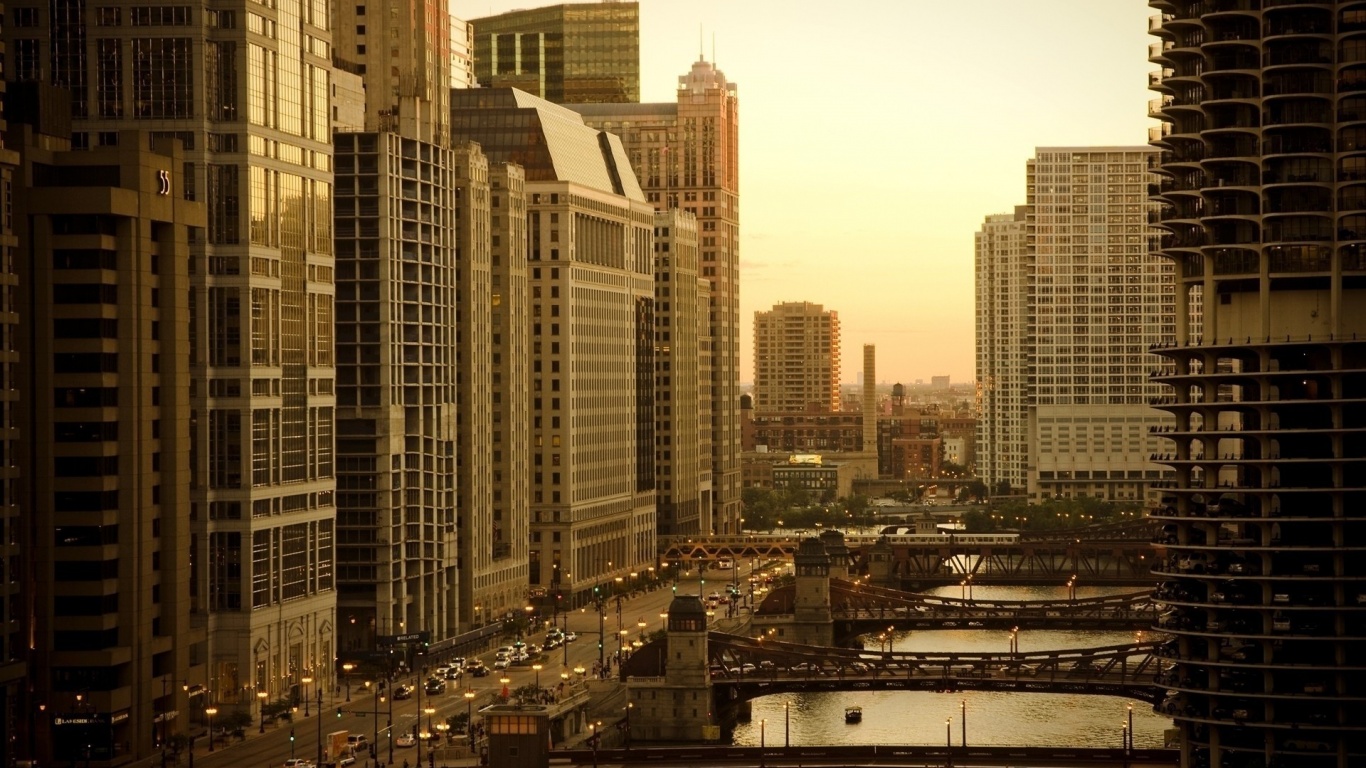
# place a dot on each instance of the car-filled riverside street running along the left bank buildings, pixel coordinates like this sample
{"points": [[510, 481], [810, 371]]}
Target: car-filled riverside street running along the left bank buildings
{"points": [[271, 748]]}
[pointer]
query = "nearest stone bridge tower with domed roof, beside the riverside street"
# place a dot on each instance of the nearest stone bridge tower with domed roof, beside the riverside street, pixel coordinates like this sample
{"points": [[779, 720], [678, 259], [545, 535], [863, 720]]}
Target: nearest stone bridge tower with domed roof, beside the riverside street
{"points": [[680, 704]]}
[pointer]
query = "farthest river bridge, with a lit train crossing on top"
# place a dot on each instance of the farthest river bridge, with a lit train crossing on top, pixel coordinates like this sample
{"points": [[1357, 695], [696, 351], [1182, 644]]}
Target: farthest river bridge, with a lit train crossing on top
{"points": [[1117, 554]]}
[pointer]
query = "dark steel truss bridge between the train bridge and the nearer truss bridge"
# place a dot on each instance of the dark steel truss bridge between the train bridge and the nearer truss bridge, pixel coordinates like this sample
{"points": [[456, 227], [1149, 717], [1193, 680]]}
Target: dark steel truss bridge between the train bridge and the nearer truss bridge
{"points": [[863, 609]]}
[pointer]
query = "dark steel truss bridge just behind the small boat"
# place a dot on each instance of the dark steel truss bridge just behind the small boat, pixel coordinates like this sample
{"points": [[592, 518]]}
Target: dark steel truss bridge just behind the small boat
{"points": [[747, 668]]}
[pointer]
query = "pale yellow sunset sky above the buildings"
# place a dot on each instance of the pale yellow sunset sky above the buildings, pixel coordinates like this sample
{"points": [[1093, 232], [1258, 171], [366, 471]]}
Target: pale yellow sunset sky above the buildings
{"points": [[932, 152]]}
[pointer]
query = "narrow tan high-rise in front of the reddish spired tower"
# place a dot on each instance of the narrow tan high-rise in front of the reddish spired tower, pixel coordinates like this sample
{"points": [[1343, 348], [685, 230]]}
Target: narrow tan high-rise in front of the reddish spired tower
{"points": [[682, 401]]}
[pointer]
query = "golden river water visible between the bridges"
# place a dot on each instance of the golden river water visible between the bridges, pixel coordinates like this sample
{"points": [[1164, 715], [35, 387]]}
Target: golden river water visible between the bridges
{"points": [[994, 718]]}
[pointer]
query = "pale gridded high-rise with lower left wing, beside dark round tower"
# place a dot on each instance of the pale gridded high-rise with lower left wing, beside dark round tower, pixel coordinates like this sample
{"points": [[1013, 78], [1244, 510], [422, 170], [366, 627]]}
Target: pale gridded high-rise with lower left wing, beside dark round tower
{"points": [[1096, 299]]}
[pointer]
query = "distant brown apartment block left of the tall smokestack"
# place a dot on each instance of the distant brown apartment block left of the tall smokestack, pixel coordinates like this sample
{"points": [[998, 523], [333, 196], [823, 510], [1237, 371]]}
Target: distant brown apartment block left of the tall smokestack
{"points": [[797, 359]]}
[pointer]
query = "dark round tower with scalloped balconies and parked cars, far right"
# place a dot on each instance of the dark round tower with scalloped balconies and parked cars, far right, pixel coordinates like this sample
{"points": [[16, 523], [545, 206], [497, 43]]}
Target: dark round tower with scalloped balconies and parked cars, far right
{"points": [[1263, 200]]}
